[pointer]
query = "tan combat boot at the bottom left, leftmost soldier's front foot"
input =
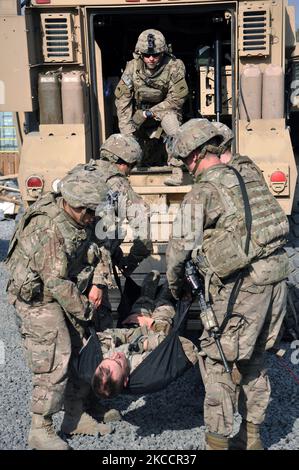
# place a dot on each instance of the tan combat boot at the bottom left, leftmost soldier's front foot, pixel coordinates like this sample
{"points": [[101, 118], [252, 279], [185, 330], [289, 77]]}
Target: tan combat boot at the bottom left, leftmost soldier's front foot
{"points": [[42, 435]]}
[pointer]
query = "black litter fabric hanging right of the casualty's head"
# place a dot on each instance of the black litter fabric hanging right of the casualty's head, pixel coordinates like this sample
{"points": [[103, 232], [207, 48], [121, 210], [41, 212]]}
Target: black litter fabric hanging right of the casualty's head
{"points": [[164, 364]]}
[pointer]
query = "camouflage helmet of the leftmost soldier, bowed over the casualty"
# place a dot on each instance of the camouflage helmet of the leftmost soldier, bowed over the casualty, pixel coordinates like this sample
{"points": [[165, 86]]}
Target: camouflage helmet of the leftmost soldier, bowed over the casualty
{"points": [[79, 191]]}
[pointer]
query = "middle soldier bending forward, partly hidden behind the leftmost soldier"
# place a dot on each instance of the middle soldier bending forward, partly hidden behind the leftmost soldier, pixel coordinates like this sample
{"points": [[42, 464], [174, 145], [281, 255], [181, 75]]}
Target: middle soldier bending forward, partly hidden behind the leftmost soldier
{"points": [[118, 155]]}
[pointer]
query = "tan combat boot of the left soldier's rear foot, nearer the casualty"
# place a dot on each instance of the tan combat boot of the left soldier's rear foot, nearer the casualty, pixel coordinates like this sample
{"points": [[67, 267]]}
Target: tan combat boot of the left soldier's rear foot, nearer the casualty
{"points": [[75, 421]]}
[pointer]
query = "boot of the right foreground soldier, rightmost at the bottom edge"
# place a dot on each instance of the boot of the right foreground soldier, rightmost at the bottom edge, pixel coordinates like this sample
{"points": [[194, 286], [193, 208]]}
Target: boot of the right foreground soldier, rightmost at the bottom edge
{"points": [[248, 438]]}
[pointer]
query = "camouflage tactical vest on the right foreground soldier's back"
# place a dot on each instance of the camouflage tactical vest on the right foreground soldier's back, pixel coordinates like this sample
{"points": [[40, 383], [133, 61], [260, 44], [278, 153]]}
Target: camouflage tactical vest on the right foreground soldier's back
{"points": [[222, 249]]}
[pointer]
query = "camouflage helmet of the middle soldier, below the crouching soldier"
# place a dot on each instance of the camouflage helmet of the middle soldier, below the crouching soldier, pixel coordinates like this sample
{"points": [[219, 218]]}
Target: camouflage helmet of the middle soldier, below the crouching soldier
{"points": [[120, 146]]}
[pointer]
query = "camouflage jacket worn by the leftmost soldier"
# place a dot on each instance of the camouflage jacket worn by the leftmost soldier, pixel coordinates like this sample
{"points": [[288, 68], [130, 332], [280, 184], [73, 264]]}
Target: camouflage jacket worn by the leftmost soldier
{"points": [[47, 255]]}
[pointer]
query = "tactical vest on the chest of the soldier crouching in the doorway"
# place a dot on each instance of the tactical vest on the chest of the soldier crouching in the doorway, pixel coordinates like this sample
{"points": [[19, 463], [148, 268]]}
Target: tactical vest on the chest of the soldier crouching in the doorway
{"points": [[151, 89]]}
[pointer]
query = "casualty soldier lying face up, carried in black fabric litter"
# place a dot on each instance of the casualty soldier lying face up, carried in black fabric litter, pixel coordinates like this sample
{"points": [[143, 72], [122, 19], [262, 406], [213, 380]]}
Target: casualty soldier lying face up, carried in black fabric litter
{"points": [[154, 316]]}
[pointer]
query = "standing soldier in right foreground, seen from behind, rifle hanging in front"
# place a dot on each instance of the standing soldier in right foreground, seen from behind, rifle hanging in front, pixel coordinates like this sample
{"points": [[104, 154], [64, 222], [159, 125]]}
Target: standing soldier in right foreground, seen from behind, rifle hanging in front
{"points": [[244, 276]]}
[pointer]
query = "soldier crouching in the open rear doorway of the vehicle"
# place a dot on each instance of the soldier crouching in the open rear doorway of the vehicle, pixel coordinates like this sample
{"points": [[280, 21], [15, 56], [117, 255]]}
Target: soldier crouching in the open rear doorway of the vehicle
{"points": [[150, 98]]}
